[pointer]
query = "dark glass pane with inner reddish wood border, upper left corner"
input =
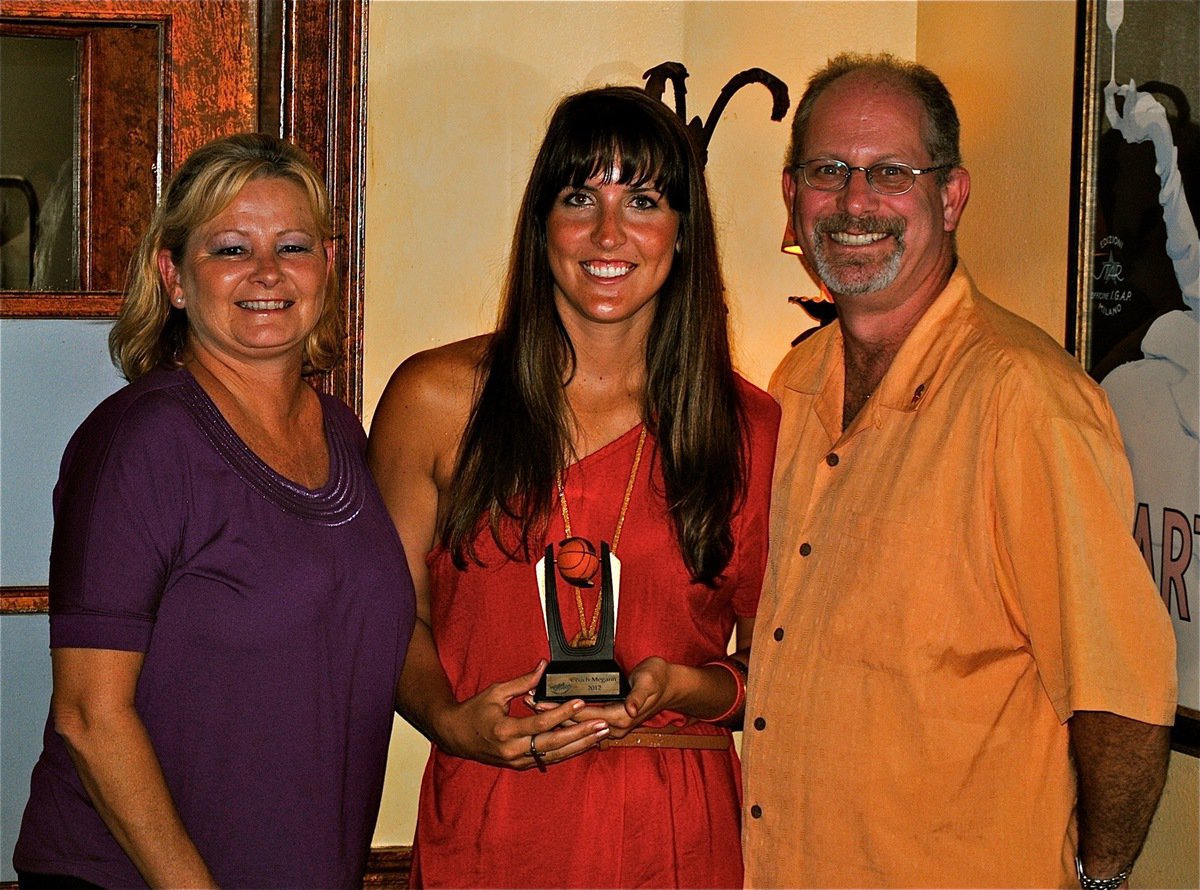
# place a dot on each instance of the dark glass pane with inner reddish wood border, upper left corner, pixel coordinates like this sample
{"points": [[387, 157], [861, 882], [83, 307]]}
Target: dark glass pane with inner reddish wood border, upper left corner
{"points": [[81, 143]]}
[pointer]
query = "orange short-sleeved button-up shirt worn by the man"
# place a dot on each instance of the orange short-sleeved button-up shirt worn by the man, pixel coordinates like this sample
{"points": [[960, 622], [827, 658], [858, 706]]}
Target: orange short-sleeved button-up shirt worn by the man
{"points": [[951, 579]]}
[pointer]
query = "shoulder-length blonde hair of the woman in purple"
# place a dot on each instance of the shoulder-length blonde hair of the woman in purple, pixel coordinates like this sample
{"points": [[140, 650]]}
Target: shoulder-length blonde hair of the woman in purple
{"points": [[149, 332]]}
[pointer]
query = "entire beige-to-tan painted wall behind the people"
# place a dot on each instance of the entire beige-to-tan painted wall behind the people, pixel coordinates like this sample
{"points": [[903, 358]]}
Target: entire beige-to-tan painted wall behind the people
{"points": [[460, 93]]}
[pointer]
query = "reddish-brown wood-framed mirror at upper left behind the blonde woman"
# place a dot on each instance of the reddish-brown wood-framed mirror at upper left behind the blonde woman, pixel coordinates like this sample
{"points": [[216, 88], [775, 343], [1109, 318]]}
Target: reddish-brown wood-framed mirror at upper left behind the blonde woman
{"points": [[125, 87]]}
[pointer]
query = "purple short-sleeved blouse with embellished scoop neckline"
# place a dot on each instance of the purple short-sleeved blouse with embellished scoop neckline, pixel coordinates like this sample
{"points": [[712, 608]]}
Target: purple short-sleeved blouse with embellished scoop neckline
{"points": [[274, 622]]}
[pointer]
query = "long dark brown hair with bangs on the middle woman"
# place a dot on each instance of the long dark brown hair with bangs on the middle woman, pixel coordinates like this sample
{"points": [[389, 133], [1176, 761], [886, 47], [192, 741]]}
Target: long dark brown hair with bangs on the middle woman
{"points": [[519, 434]]}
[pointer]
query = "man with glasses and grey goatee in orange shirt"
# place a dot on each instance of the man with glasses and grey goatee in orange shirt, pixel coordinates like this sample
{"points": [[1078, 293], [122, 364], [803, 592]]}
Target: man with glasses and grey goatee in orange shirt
{"points": [[963, 675]]}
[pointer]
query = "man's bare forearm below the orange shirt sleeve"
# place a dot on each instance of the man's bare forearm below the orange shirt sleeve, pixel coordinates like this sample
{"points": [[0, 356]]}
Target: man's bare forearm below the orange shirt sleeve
{"points": [[1121, 765]]}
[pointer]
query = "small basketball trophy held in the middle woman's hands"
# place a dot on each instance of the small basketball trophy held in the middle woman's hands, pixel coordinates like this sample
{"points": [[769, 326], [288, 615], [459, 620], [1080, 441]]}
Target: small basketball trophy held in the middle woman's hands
{"points": [[584, 667]]}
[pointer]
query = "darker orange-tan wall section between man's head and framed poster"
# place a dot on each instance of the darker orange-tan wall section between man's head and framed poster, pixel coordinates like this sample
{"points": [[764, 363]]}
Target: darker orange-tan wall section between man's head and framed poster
{"points": [[1011, 70]]}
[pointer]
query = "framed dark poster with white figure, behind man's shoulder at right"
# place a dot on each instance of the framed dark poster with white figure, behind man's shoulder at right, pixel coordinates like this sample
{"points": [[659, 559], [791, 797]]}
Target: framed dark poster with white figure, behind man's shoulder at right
{"points": [[1138, 282]]}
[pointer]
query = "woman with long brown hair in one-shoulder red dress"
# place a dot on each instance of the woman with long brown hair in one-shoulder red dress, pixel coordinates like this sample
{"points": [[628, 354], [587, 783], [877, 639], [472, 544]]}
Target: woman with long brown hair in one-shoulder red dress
{"points": [[604, 407]]}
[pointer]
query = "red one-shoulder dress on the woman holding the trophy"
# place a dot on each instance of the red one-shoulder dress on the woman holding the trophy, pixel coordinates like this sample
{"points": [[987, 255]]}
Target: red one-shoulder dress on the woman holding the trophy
{"points": [[622, 817]]}
